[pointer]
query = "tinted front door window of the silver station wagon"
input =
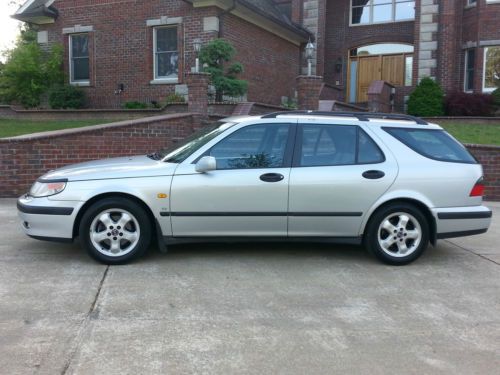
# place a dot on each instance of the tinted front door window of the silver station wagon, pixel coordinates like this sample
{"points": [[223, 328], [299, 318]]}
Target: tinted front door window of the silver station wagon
{"points": [[256, 146]]}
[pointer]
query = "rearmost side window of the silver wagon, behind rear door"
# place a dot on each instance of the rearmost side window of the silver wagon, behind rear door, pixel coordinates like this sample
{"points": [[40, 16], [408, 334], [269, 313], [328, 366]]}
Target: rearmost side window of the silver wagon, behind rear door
{"points": [[433, 143]]}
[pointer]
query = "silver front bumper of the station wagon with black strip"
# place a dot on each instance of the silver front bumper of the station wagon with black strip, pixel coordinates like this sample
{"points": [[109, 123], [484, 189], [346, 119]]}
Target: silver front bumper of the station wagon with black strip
{"points": [[42, 218]]}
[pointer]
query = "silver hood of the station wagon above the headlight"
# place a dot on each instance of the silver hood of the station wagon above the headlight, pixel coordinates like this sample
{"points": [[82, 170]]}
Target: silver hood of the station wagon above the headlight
{"points": [[124, 167]]}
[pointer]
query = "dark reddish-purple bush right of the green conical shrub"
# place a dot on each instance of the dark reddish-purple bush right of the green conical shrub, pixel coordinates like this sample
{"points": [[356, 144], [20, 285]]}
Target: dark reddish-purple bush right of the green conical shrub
{"points": [[464, 104]]}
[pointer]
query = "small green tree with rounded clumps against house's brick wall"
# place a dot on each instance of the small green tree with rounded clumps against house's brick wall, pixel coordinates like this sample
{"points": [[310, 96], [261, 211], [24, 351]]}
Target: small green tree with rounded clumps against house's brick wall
{"points": [[215, 54]]}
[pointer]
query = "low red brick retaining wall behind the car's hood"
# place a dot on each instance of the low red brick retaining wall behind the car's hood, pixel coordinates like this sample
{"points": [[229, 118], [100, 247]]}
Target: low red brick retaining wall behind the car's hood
{"points": [[24, 159]]}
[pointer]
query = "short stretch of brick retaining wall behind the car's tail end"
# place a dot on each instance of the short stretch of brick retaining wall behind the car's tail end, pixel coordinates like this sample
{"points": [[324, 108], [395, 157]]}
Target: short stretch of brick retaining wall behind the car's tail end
{"points": [[489, 157]]}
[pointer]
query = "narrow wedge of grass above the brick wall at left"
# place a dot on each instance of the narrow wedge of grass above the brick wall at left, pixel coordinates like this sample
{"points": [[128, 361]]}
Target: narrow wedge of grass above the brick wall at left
{"points": [[11, 128]]}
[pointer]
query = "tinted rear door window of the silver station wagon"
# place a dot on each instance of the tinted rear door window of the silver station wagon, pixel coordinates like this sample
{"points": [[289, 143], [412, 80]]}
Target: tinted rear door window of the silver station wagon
{"points": [[329, 145]]}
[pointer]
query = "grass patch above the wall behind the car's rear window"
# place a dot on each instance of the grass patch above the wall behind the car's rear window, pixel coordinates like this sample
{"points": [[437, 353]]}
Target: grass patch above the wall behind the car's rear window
{"points": [[479, 133]]}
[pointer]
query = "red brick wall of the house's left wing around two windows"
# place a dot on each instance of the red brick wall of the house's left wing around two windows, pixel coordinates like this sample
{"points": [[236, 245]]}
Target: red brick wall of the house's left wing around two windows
{"points": [[121, 49]]}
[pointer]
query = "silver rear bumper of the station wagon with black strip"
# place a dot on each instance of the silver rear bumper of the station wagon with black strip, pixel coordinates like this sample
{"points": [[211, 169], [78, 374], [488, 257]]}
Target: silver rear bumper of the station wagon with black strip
{"points": [[461, 221]]}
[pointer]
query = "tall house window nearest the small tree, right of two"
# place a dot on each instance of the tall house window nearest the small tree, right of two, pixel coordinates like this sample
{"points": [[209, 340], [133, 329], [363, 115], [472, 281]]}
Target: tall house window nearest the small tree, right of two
{"points": [[166, 54]]}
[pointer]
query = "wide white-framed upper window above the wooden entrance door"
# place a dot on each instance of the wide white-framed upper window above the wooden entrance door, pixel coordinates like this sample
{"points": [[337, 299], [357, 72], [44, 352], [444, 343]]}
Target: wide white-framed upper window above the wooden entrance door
{"points": [[381, 11]]}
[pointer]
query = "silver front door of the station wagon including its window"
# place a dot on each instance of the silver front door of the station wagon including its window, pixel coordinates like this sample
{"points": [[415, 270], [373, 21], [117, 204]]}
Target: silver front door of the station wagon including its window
{"points": [[247, 195]]}
